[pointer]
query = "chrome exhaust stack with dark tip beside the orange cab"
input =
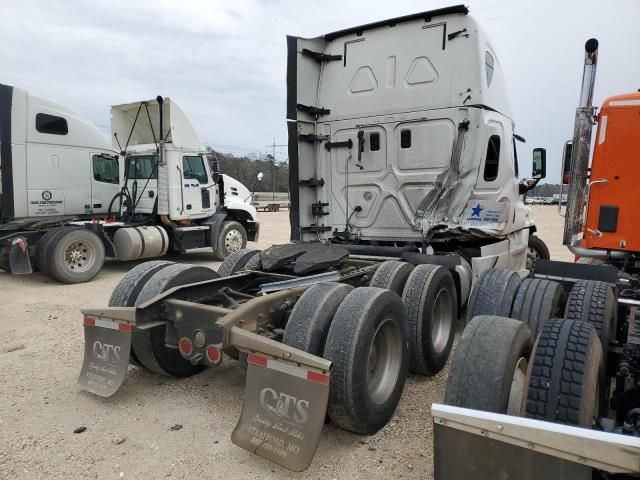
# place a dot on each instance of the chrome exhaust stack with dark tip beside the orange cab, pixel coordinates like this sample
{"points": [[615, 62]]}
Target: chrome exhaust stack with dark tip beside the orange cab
{"points": [[576, 195]]}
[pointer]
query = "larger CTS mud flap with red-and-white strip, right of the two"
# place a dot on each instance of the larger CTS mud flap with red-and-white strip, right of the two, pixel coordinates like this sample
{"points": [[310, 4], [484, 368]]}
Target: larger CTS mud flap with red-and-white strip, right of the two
{"points": [[283, 412]]}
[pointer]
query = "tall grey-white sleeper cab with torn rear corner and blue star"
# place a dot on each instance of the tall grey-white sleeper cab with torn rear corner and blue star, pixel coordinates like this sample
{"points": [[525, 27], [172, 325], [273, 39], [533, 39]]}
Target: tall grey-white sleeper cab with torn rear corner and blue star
{"points": [[401, 133]]}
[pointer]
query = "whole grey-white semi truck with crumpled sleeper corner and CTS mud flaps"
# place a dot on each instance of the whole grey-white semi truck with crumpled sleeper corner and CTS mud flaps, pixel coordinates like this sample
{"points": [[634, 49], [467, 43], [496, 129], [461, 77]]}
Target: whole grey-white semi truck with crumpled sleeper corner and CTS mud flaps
{"points": [[404, 190]]}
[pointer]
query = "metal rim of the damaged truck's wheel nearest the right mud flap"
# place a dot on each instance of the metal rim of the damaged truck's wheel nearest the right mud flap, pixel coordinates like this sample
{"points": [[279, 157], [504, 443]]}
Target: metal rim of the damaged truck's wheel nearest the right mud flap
{"points": [[384, 361]]}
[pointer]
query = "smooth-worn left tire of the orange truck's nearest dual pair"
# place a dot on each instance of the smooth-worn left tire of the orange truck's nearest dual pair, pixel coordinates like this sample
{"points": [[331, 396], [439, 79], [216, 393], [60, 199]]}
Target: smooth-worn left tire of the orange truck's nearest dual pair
{"points": [[482, 369]]}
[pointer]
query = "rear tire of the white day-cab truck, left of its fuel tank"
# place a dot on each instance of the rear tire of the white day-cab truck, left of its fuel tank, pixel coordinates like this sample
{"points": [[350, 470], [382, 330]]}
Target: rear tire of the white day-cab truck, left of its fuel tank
{"points": [[52, 255]]}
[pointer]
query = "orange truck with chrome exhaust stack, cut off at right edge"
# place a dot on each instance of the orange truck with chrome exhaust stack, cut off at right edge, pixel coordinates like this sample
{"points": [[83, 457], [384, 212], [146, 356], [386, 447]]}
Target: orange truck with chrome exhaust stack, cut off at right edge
{"points": [[545, 382]]}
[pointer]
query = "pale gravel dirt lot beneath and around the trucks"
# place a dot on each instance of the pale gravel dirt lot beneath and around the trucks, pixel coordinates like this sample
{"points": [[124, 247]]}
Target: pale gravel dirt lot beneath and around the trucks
{"points": [[41, 404]]}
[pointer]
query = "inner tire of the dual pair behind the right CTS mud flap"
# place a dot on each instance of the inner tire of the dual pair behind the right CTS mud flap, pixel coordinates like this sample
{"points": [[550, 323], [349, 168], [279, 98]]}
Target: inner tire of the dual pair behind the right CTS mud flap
{"points": [[311, 317]]}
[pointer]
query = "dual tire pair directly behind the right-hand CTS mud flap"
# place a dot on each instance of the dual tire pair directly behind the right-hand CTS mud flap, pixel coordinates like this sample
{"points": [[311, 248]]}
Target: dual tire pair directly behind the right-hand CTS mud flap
{"points": [[355, 328]]}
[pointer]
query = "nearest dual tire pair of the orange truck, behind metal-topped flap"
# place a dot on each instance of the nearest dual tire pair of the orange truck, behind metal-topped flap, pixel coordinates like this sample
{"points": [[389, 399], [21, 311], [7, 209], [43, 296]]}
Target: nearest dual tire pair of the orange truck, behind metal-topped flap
{"points": [[496, 370]]}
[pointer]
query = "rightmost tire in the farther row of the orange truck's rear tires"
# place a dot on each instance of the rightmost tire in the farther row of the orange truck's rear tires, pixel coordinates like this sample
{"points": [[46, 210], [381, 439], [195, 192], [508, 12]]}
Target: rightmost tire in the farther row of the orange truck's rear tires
{"points": [[594, 302]]}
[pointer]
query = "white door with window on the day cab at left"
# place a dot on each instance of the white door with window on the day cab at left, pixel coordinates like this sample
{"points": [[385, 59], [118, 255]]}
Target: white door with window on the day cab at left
{"points": [[197, 186]]}
